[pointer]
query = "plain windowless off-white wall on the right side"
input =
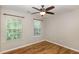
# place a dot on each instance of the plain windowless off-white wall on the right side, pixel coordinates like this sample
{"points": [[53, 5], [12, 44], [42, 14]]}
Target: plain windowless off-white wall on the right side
{"points": [[64, 29]]}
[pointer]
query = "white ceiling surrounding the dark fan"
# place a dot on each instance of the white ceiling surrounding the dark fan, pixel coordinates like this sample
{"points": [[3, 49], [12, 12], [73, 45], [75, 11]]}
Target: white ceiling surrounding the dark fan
{"points": [[59, 9]]}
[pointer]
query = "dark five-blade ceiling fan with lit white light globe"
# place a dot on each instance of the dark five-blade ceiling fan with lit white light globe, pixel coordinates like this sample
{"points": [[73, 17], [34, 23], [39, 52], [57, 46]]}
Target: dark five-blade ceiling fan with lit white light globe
{"points": [[43, 10]]}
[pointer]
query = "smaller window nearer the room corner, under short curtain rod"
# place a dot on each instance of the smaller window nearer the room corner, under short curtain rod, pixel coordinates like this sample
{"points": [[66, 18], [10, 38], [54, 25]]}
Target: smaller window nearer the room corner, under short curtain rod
{"points": [[37, 27]]}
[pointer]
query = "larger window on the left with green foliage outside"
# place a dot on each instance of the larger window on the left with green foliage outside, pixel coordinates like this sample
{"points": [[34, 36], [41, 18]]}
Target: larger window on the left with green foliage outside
{"points": [[14, 28]]}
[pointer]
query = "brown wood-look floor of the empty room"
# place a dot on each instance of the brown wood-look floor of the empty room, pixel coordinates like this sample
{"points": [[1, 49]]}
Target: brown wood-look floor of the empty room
{"points": [[43, 48]]}
